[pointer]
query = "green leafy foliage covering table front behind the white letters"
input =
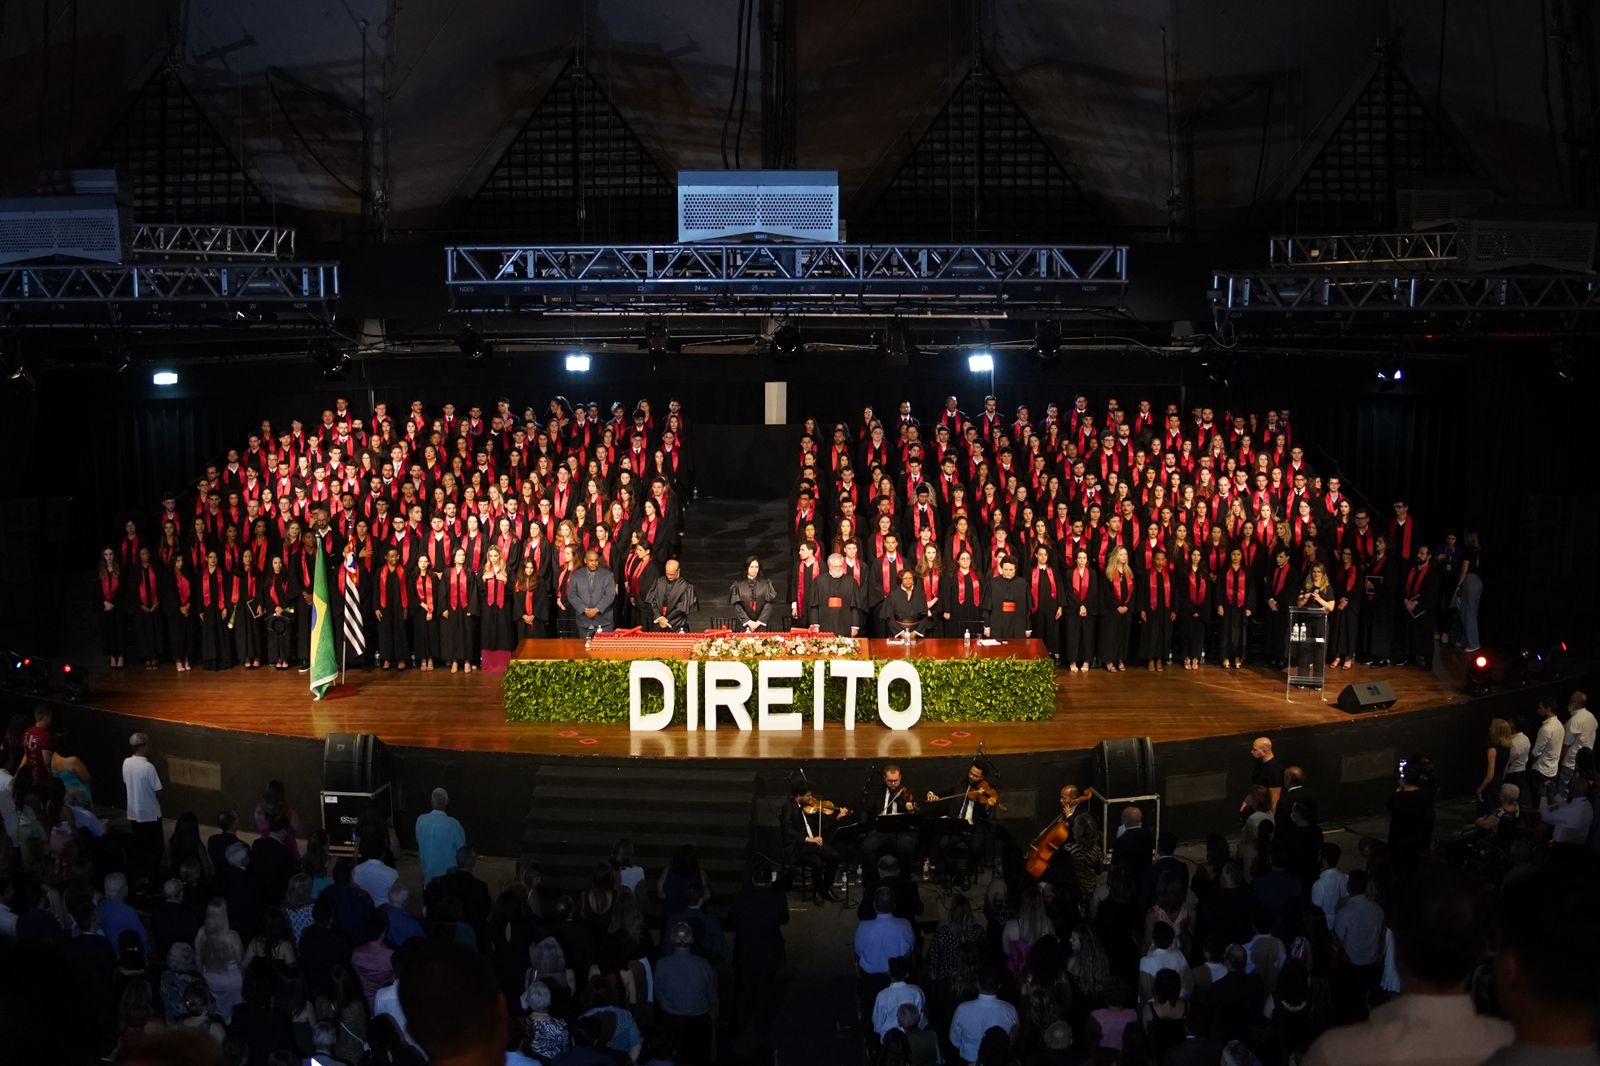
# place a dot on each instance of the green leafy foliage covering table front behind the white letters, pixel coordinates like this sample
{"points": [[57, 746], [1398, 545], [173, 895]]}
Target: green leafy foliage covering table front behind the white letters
{"points": [[594, 692]]}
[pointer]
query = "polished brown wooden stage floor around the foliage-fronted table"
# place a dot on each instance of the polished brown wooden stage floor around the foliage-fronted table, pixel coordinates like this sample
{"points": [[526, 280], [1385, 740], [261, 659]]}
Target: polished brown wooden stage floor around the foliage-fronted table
{"points": [[463, 713]]}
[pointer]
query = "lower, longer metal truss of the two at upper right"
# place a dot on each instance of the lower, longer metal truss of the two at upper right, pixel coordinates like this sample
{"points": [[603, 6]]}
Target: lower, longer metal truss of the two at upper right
{"points": [[1354, 297]]}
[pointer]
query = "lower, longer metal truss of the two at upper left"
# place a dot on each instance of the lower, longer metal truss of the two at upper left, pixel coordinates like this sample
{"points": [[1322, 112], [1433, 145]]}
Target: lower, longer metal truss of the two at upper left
{"points": [[170, 283]]}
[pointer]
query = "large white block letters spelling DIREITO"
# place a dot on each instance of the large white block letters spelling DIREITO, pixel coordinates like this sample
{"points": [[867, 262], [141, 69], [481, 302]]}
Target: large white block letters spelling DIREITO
{"points": [[719, 689]]}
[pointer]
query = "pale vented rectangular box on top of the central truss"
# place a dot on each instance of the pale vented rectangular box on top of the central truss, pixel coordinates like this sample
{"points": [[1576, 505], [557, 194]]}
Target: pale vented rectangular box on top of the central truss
{"points": [[758, 206]]}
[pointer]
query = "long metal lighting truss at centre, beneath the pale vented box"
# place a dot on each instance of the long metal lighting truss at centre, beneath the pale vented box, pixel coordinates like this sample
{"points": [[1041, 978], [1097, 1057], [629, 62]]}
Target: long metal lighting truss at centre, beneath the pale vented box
{"points": [[788, 278]]}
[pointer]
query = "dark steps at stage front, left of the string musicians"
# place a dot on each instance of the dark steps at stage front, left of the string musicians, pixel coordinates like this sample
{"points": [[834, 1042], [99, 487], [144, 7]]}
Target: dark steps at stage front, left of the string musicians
{"points": [[578, 812]]}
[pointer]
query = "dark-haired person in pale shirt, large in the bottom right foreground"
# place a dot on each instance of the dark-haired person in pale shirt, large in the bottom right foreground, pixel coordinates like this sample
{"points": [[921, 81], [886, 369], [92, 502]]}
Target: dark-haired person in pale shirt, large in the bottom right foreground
{"points": [[1439, 942]]}
